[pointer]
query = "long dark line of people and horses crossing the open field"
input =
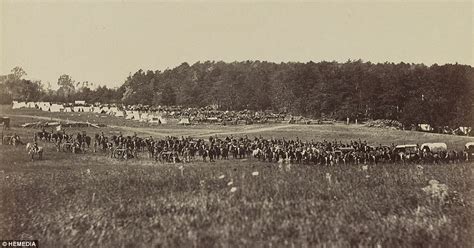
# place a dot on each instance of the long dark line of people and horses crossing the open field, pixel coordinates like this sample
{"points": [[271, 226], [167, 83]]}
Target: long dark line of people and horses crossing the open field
{"points": [[297, 151]]}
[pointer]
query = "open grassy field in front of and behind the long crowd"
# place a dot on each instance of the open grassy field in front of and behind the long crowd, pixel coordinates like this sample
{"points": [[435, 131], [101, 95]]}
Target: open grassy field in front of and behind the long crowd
{"points": [[89, 200]]}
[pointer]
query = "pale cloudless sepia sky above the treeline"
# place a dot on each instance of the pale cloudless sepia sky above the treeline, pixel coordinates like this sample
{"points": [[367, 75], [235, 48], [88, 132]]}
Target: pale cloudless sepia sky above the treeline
{"points": [[102, 42]]}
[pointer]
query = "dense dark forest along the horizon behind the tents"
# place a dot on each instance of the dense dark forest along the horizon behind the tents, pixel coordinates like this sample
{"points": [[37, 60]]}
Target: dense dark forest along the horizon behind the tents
{"points": [[440, 95]]}
